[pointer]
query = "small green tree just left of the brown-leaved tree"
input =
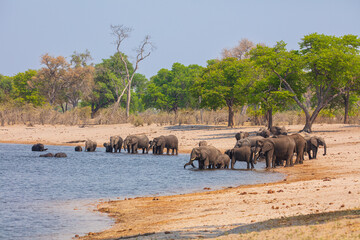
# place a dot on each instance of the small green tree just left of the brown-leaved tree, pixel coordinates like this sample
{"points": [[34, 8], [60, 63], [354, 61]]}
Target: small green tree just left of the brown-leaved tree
{"points": [[22, 91]]}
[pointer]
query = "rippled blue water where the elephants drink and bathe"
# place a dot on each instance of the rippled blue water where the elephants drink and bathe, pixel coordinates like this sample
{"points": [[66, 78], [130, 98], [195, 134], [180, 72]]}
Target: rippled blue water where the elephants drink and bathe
{"points": [[51, 198]]}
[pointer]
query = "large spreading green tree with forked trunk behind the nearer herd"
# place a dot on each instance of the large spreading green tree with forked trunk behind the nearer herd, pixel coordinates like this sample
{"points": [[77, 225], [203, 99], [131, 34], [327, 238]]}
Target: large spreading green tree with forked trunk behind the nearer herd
{"points": [[322, 66]]}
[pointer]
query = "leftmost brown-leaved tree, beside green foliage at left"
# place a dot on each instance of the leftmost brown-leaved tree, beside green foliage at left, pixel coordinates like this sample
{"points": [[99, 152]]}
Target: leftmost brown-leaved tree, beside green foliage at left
{"points": [[51, 79]]}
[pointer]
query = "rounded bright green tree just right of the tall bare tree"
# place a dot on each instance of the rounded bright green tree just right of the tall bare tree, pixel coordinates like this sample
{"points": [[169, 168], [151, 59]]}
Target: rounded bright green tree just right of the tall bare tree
{"points": [[170, 90]]}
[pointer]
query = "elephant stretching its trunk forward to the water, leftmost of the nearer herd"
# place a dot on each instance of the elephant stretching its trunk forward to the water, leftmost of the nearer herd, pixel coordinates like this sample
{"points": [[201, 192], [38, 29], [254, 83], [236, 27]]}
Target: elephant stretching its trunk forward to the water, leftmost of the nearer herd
{"points": [[206, 155]]}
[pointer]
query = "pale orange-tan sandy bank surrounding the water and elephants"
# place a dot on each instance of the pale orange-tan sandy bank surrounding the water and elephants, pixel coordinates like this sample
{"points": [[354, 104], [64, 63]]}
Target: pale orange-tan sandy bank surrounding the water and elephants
{"points": [[316, 192]]}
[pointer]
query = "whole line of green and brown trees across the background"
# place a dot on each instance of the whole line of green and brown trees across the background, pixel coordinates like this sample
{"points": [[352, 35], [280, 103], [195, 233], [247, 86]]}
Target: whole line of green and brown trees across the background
{"points": [[258, 80]]}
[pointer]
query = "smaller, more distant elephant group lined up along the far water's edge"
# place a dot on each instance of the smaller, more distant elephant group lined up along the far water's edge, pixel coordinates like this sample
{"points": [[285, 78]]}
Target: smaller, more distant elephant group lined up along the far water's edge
{"points": [[133, 143]]}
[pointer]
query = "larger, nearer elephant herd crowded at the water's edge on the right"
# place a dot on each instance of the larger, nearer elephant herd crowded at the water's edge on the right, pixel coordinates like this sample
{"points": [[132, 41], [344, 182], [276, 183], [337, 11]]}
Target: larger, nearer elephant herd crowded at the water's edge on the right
{"points": [[274, 146]]}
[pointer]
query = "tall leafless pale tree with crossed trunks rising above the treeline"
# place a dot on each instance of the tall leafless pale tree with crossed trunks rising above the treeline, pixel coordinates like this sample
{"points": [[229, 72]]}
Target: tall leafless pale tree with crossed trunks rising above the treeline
{"points": [[143, 51]]}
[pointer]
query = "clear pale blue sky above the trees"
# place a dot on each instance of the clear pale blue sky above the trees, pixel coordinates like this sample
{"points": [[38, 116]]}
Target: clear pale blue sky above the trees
{"points": [[184, 31]]}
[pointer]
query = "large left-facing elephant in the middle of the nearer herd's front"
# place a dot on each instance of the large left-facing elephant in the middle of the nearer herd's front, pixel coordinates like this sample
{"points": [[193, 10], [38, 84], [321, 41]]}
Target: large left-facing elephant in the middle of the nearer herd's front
{"points": [[276, 149]]}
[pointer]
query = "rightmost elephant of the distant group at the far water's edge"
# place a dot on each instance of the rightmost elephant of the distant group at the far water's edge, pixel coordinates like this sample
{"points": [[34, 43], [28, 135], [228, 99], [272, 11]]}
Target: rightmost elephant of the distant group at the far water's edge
{"points": [[169, 142]]}
